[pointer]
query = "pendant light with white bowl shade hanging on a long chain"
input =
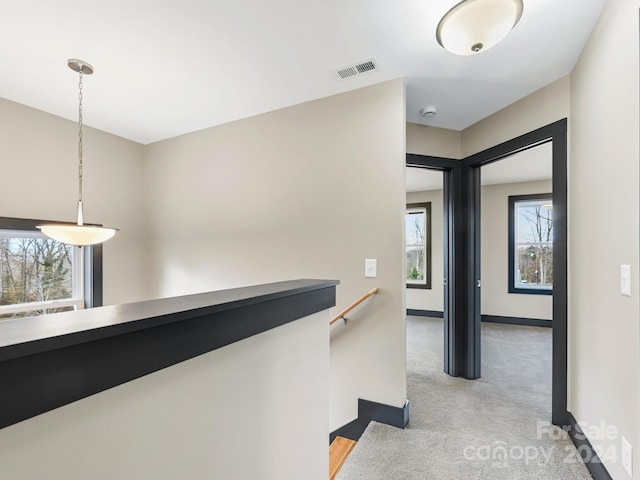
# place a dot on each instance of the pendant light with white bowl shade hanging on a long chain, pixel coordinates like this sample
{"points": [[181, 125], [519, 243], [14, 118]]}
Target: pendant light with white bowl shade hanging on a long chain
{"points": [[78, 233]]}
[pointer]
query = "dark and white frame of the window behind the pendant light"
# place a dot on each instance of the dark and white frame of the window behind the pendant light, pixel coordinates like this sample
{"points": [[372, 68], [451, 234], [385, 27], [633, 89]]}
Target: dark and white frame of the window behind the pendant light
{"points": [[91, 275]]}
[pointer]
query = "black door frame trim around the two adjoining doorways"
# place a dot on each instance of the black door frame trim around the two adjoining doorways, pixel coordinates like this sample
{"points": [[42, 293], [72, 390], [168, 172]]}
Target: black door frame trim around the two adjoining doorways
{"points": [[462, 255]]}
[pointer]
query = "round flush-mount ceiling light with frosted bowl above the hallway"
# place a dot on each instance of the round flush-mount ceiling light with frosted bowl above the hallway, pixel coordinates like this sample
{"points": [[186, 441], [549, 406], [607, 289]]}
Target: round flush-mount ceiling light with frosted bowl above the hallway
{"points": [[474, 26]]}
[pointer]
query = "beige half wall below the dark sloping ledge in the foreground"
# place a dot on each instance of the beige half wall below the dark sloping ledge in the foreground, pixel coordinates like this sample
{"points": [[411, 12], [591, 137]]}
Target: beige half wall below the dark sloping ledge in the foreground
{"points": [[227, 414]]}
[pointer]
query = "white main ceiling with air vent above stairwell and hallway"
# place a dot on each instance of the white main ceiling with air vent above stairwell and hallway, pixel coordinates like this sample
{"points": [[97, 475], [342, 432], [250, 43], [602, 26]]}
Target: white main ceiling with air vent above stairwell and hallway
{"points": [[163, 68]]}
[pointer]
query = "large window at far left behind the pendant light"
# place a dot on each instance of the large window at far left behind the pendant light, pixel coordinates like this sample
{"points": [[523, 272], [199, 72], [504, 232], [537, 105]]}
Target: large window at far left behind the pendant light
{"points": [[39, 275]]}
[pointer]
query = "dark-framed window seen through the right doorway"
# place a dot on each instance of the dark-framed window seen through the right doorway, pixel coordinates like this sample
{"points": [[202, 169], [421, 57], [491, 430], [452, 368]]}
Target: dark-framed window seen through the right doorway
{"points": [[531, 244]]}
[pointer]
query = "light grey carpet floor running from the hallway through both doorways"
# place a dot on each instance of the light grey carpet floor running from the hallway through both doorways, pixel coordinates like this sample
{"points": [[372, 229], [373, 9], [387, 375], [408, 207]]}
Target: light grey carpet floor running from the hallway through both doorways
{"points": [[495, 428]]}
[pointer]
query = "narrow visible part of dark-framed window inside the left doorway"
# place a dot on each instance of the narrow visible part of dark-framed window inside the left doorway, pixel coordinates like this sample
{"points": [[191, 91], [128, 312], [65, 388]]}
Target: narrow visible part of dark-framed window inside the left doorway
{"points": [[418, 245]]}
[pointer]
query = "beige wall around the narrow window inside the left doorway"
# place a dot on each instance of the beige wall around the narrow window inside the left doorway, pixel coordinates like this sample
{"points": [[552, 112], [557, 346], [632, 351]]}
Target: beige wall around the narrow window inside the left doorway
{"points": [[433, 298]]}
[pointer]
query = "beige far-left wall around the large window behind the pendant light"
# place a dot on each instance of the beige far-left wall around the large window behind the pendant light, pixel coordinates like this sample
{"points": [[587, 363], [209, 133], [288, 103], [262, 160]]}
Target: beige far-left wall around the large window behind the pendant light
{"points": [[38, 154]]}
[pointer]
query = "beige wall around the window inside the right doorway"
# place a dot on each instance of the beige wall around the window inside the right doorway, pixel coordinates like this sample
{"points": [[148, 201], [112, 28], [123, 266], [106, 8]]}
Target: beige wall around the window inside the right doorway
{"points": [[496, 299]]}
